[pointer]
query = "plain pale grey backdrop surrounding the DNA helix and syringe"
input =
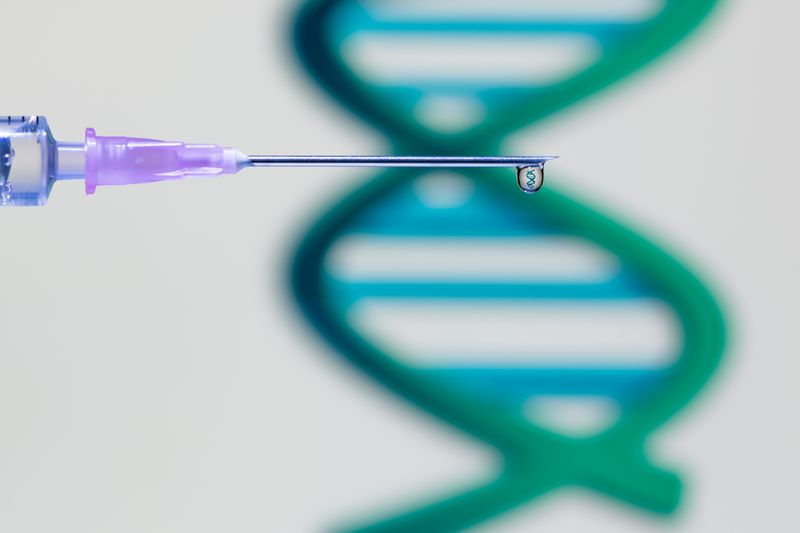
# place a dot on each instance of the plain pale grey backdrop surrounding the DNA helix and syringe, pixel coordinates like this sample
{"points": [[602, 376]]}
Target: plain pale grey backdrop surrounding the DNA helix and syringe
{"points": [[156, 376]]}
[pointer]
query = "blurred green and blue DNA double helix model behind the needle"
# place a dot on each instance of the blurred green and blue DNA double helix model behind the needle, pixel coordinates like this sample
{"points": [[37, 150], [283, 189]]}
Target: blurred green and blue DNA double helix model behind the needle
{"points": [[496, 312]]}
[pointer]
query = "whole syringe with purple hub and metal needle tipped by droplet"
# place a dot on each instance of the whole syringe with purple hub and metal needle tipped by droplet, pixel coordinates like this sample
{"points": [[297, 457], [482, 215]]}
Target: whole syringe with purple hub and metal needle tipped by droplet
{"points": [[31, 161]]}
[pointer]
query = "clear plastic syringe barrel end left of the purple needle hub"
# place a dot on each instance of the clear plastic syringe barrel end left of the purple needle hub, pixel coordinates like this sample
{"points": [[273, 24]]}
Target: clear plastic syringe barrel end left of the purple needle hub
{"points": [[28, 160]]}
